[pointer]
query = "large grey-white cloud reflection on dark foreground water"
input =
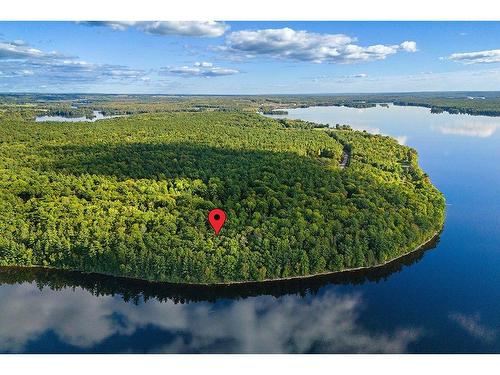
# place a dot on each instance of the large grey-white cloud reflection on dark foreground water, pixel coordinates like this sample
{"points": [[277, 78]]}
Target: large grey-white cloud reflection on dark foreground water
{"points": [[326, 323]]}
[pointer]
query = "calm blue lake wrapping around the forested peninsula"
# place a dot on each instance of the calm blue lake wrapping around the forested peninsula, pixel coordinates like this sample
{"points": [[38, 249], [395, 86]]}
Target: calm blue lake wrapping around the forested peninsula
{"points": [[445, 299]]}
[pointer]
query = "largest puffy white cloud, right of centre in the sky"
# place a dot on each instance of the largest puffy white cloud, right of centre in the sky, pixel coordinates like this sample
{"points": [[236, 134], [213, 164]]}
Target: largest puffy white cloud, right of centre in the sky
{"points": [[302, 45]]}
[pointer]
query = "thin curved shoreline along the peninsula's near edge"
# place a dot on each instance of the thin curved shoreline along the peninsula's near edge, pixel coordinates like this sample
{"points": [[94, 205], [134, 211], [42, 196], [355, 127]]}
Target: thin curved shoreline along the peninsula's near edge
{"points": [[247, 282]]}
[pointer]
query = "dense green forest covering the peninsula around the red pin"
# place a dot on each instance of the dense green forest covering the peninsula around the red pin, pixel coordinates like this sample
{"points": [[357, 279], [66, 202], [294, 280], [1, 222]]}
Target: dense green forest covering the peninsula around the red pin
{"points": [[129, 196]]}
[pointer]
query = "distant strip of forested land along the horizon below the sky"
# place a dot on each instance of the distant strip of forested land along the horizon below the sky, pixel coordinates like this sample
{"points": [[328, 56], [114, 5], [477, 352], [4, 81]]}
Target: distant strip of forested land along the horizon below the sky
{"points": [[78, 105]]}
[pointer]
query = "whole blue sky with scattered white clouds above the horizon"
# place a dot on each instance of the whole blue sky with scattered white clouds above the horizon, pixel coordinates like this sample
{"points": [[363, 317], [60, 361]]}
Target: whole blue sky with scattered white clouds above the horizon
{"points": [[215, 57]]}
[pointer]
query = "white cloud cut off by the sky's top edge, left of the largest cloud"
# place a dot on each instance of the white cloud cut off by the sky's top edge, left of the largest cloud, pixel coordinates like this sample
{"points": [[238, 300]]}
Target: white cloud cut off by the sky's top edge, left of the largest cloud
{"points": [[183, 28]]}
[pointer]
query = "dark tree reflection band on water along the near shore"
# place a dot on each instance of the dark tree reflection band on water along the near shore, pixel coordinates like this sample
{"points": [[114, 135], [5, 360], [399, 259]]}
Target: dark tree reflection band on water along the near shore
{"points": [[136, 290]]}
